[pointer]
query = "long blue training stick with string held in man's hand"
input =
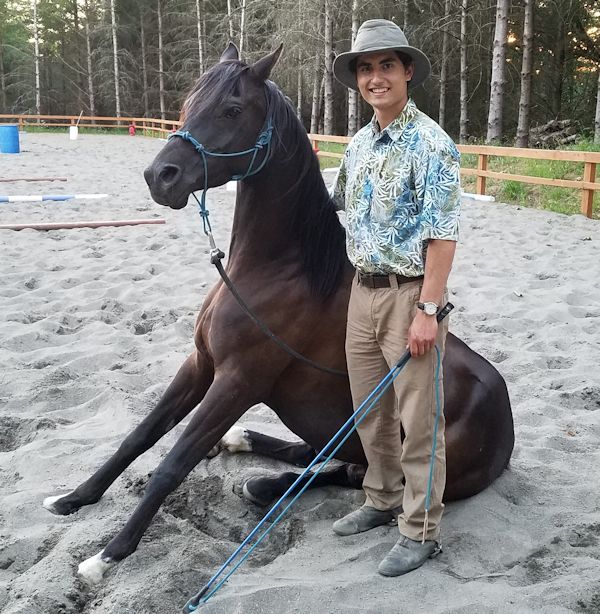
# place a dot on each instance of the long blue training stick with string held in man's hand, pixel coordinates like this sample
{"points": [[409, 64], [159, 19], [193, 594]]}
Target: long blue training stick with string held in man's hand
{"points": [[355, 419]]}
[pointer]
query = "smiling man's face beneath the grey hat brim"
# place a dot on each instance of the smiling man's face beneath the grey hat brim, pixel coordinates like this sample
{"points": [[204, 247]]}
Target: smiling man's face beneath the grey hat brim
{"points": [[382, 80]]}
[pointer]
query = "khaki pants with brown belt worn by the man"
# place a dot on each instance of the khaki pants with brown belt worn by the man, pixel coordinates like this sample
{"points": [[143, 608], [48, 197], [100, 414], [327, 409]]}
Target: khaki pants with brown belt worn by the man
{"points": [[398, 471]]}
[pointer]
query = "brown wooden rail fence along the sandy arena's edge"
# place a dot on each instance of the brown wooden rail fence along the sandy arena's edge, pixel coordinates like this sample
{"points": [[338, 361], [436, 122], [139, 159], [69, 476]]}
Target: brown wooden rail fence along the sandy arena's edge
{"points": [[152, 127]]}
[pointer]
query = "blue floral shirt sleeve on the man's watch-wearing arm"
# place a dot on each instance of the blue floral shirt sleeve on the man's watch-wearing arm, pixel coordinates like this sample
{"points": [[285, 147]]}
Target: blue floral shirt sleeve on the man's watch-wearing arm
{"points": [[438, 184]]}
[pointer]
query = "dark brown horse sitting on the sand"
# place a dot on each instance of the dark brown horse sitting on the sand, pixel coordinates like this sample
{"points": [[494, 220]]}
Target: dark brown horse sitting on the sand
{"points": [[287, 258]]}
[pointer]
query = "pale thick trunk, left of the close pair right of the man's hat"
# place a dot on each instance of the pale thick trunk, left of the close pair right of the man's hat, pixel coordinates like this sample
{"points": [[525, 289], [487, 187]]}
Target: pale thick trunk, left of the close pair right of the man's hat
{"points": [[494, 131]]}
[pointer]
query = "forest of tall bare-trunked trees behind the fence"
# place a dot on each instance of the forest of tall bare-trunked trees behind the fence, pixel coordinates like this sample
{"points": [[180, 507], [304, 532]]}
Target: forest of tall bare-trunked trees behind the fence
{"points": [[497, 67]]}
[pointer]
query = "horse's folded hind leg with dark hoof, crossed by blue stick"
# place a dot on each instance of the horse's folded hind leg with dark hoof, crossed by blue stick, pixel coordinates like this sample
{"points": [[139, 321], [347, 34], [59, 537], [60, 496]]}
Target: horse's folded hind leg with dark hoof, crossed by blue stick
{"points": [[264, 490]]}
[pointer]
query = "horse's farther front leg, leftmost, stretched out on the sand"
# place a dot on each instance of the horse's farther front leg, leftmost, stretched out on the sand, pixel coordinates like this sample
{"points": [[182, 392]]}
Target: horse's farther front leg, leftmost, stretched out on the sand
{"points": [[180, 398]]}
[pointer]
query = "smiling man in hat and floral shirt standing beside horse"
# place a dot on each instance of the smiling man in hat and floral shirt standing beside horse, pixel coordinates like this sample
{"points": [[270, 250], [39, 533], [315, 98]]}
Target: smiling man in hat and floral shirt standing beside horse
{"points": [[399, 183]]}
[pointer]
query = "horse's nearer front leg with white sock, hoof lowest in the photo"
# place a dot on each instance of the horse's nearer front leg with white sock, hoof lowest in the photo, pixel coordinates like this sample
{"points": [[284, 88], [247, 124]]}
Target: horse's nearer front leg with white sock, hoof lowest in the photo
{"points": [[224, 403]]}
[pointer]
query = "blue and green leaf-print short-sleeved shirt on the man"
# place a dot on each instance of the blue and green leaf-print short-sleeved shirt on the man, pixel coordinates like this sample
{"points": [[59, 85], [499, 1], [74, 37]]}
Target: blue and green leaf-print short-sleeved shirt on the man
{"points": [[399, 187]]}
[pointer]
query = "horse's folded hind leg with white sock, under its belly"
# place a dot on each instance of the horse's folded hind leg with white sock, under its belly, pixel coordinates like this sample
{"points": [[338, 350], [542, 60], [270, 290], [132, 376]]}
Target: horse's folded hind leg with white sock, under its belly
{"points": [[239, 439]]}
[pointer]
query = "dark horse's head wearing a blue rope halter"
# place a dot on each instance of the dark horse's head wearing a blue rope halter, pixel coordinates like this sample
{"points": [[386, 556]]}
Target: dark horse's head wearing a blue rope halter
{"points": [[225, 113]]}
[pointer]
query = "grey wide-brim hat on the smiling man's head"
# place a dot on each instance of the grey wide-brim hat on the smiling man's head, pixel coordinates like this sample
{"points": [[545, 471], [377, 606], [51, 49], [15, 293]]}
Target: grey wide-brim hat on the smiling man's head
{"points": [[377, 35]]}
